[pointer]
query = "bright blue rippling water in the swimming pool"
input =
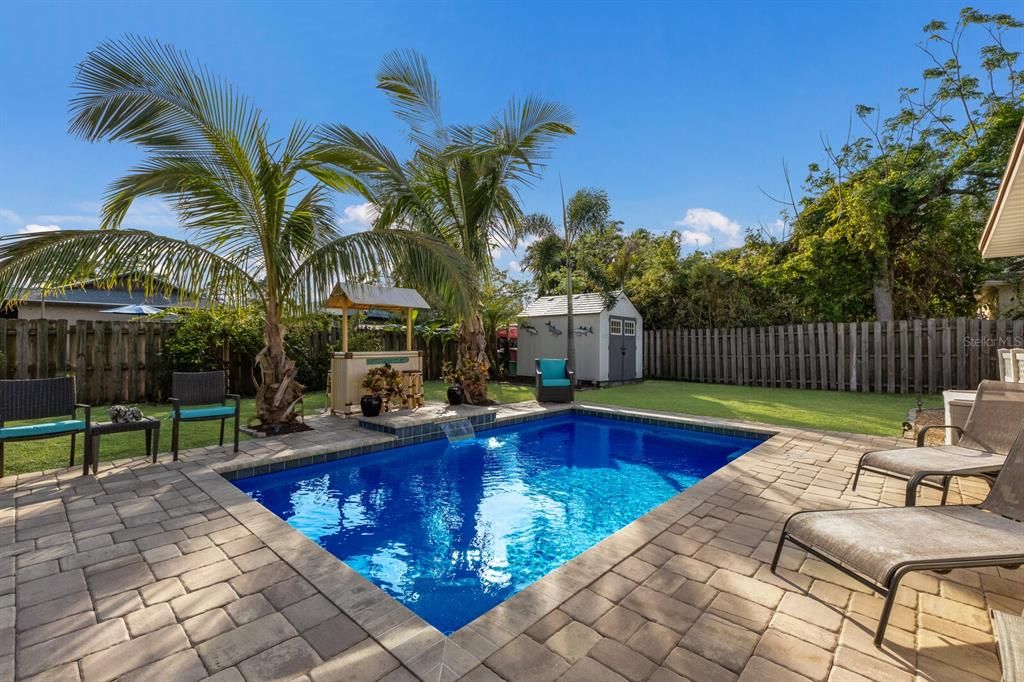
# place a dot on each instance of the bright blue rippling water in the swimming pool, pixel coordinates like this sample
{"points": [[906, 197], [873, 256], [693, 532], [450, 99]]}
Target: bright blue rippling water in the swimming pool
{"points": [[453, 530]]}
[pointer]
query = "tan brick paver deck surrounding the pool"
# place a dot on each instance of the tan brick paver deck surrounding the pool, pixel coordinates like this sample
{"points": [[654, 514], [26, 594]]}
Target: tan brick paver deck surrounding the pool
{"points": [[167, 572]]}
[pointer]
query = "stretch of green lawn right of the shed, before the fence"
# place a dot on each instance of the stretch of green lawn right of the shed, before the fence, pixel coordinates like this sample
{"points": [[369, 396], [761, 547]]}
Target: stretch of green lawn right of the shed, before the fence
{"points": [[858, 413]]}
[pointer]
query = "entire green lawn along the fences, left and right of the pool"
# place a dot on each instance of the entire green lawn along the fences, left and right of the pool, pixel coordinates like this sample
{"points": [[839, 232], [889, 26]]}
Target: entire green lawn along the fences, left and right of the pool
{"points": [[857, 413]]}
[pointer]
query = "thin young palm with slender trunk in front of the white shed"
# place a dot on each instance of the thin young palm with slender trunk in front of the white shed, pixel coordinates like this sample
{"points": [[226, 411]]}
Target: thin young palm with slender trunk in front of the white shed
{"points": [[587, 210]]}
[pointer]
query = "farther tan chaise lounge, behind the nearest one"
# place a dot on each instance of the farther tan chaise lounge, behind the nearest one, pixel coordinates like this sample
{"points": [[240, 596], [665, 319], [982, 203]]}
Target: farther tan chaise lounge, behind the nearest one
{"points": [[985, 442]]}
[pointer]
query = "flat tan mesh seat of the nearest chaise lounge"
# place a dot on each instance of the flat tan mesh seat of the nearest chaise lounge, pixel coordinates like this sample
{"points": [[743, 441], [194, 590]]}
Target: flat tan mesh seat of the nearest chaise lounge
{"points": [[874, 542]]}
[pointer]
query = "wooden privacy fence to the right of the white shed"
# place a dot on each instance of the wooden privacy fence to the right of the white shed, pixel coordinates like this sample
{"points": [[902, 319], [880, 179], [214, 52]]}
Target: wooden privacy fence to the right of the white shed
{"points": [[904, 357]]}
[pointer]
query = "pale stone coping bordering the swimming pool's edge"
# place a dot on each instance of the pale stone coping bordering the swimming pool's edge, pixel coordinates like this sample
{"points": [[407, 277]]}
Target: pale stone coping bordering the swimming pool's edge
{"points": [[408, 637]]}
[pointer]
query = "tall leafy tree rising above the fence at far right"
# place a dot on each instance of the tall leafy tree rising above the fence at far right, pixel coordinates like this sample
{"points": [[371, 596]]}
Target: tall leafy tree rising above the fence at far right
{"points": [[906, 202]]}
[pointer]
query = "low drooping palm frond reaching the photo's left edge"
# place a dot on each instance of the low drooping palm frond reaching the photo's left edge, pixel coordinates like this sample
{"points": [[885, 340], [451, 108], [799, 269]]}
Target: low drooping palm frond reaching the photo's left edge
{"points": [[62, 260]]}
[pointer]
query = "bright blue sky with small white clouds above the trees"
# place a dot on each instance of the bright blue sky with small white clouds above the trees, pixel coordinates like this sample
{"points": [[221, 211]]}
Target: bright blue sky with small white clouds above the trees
{"points": [[686, 112]]}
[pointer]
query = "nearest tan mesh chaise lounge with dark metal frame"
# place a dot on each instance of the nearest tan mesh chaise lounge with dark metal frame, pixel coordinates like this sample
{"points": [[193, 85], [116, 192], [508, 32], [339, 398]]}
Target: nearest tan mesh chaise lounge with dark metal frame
{"points": [[879, 547]]}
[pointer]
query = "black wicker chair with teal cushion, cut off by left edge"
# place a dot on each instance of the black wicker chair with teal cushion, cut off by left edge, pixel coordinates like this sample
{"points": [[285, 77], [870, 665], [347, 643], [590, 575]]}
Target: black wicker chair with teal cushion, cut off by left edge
{"points": [[42, 399]]}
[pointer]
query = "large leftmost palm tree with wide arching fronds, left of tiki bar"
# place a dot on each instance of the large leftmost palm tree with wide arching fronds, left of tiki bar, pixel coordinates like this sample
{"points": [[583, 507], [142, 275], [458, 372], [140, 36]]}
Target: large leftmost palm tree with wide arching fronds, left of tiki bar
{"points": [[261, 223]]}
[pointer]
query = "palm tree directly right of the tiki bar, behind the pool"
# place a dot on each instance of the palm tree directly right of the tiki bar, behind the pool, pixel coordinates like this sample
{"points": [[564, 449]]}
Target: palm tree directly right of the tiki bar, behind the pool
{"points": [[460, 185]]}
